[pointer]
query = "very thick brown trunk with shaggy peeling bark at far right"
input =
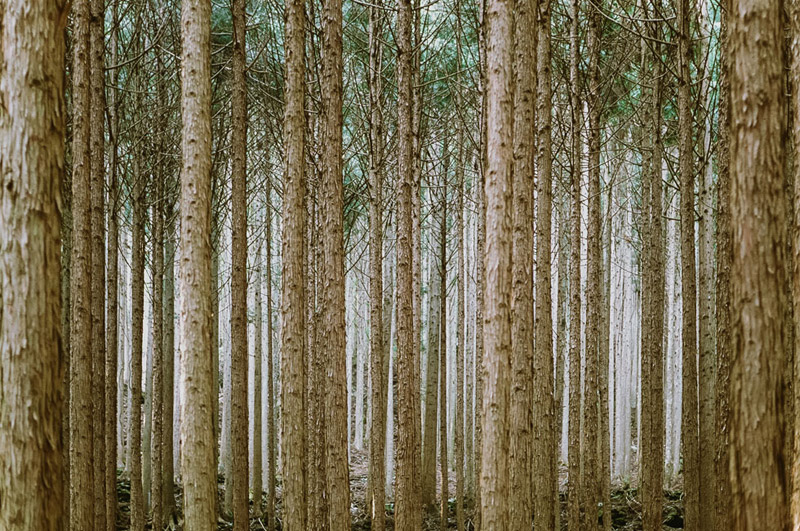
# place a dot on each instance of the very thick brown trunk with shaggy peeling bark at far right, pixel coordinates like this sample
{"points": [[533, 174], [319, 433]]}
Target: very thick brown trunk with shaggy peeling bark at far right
{"points": [[759, 277]]}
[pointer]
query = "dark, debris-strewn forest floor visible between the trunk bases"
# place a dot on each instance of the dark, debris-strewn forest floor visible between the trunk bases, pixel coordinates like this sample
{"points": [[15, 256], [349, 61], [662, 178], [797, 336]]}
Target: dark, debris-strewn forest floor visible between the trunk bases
{"points": [[625, 507]]}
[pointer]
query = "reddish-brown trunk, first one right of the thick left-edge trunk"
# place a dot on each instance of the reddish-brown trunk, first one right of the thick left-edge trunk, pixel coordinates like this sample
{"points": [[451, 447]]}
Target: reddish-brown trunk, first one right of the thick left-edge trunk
{"points": [[81, 412]]}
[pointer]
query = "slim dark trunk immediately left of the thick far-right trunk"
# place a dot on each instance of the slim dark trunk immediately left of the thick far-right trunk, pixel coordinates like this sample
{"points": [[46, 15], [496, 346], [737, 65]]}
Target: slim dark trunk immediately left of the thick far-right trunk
{"points": [[723, 518]]}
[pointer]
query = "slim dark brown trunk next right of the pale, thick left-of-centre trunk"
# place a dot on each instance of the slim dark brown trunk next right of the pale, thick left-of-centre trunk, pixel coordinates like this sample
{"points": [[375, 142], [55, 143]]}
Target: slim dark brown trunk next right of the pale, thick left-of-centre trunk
{"points": [[239, 352]]}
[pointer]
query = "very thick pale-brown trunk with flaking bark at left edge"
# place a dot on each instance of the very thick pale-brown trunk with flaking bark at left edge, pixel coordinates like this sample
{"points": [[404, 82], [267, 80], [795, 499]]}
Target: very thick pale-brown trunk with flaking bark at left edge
{"points": [[32, 130]]}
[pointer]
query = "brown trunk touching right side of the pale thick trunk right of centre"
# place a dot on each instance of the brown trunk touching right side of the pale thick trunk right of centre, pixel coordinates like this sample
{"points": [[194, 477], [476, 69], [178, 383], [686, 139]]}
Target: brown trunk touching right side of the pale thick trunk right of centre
{"points": [[521, 421]]}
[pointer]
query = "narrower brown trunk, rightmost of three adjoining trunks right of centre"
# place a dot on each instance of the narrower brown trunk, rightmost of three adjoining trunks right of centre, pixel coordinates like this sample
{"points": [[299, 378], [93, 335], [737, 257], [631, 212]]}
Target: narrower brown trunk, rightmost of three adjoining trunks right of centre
{"points": [[546, 420]]}
